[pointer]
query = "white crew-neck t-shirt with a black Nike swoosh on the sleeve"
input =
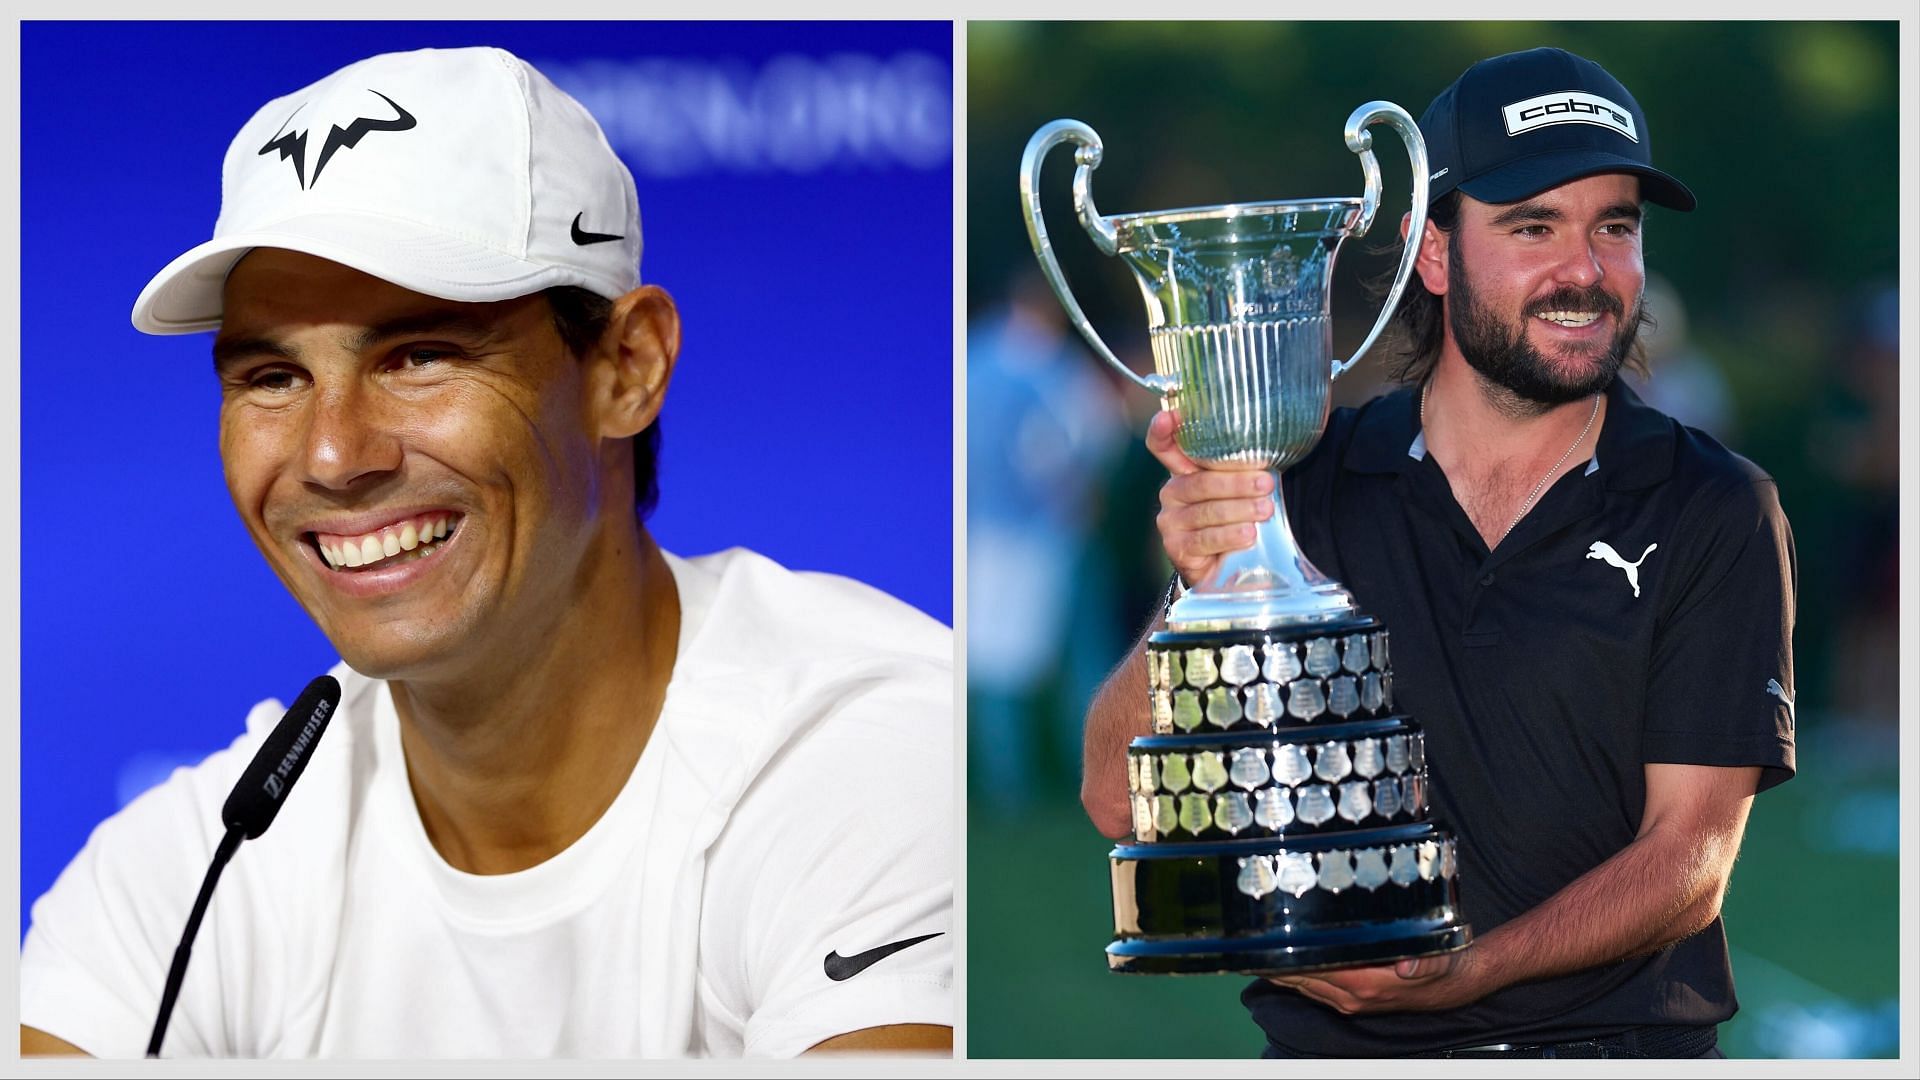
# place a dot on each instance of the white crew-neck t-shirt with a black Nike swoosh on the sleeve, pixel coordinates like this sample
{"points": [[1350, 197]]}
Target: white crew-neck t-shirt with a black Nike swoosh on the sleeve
{"points": [[794, 800]]}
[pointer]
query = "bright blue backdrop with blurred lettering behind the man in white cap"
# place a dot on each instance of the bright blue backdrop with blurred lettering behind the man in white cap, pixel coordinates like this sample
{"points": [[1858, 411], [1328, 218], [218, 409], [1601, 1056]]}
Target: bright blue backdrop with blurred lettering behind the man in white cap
{"points": [[796, 184]]}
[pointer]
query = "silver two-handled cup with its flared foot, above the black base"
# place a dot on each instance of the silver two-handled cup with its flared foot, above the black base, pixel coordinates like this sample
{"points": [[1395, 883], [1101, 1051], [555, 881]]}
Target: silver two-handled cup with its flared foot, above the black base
{"points": [[1237, 312]]}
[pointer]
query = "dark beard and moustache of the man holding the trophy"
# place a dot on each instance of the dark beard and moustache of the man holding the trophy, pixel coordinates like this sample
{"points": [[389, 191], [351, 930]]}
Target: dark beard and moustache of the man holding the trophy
{"points": [[1510, 362]]}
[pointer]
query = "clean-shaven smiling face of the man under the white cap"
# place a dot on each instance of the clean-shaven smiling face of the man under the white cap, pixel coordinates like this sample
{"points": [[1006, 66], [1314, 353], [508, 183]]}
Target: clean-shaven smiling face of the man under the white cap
{"points": [[423, 476]]}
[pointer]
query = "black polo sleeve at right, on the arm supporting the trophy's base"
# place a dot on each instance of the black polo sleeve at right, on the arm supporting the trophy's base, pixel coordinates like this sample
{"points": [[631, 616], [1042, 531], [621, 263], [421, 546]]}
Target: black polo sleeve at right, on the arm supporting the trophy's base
{"points": [[1721, 677]]}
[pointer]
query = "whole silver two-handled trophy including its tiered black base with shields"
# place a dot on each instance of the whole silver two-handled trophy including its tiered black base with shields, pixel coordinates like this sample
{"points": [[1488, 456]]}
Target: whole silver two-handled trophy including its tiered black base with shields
{"points": [[1280, 812]]}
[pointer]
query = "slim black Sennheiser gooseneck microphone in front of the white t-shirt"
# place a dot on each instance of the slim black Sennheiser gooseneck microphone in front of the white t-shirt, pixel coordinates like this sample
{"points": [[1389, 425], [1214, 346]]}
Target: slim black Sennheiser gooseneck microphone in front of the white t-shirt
{"points": [[249, 812]]}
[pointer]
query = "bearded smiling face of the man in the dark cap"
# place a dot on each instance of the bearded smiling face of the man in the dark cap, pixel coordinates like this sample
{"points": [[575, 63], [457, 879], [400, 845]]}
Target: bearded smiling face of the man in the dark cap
{"points": [[1545, 297]]}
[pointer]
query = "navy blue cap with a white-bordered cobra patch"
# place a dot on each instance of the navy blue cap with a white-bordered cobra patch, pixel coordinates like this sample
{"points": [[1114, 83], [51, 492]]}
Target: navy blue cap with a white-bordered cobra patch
{"points": [[1520, 124]]}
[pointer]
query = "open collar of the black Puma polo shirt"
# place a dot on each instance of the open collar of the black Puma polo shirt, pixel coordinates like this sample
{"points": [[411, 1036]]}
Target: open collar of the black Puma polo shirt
{"points": [[1635, 445]]}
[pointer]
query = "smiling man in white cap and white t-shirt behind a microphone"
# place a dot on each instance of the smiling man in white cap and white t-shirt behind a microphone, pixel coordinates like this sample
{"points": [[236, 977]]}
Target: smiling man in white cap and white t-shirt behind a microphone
{"points": [[581, 798]]}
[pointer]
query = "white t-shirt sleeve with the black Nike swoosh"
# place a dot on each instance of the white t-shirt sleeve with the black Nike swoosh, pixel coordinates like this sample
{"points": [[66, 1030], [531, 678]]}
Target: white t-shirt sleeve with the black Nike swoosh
{"points": [[836, 877]]}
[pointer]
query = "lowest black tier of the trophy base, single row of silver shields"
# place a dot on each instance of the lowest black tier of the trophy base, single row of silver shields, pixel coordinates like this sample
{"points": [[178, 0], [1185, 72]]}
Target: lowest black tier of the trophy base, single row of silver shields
{"points": [[1285, 906]]}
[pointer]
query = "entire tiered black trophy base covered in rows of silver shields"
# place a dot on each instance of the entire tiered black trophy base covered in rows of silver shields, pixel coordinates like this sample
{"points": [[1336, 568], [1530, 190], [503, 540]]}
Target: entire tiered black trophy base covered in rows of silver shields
{"points": [[1280, 812]]}
